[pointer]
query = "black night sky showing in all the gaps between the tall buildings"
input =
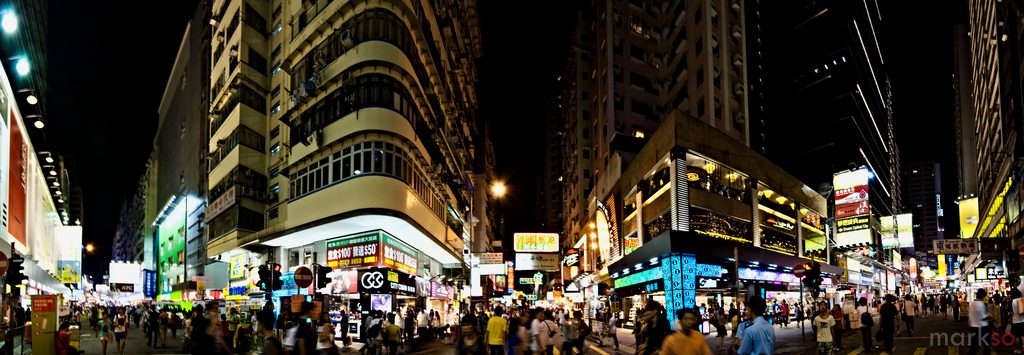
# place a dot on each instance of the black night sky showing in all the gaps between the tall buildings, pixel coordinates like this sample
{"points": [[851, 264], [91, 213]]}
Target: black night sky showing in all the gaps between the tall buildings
{"points": [[110, 63]]}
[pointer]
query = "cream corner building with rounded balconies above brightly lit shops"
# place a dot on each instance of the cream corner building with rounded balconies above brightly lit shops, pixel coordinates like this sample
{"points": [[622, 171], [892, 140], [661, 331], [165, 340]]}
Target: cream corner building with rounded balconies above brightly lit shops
{"points": [[343, 135]]}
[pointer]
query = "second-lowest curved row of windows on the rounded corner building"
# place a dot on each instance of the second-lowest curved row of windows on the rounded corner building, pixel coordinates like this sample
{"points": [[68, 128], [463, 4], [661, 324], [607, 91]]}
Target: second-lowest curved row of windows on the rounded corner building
{"points": [[375, 91]]}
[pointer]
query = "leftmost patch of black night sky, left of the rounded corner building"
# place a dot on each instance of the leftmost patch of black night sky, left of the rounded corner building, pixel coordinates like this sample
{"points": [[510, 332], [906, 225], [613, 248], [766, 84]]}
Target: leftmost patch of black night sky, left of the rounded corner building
{"points": [[109, 65]]}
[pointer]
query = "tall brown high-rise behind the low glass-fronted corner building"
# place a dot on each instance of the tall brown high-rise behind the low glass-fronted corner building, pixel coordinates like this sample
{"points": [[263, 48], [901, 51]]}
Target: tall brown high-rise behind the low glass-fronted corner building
{"points": [[633, 62]]}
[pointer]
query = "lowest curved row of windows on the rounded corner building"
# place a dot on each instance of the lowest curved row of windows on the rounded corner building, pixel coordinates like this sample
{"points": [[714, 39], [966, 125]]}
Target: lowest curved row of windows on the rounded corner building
{"points": [[374, 158]]}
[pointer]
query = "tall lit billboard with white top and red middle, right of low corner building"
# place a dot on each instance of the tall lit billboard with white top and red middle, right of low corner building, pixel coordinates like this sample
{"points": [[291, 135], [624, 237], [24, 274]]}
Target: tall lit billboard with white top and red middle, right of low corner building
{"points": [[852, 208]]}
